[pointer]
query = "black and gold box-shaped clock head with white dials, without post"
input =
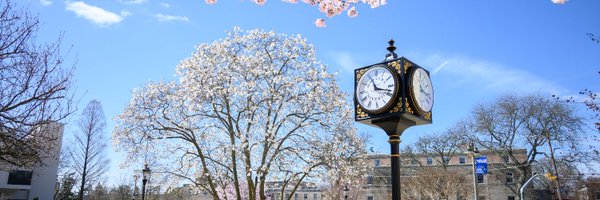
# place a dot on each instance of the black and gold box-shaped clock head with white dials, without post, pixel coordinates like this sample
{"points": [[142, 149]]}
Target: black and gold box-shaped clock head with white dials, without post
{"points": [[394, 90]]}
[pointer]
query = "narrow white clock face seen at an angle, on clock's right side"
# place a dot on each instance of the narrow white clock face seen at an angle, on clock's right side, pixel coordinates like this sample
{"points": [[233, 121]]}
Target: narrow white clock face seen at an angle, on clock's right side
{"points": [[422, 90]]}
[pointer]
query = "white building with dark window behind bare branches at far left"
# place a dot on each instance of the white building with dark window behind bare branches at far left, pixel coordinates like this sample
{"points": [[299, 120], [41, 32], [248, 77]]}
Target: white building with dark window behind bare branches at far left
{"points": [[37, 182]]}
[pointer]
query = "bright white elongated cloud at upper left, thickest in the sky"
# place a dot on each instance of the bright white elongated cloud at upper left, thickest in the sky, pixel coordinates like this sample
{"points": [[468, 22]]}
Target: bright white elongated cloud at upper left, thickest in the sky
{"points": [[95, 14]]}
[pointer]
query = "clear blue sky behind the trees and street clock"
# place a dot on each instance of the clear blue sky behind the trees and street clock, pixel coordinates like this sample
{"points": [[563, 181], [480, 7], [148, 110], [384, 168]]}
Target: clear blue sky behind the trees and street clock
{"points": [[475, 50]]}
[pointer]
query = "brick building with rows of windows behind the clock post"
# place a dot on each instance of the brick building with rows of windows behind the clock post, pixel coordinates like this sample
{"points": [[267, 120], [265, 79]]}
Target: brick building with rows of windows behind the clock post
{"points": [[498, 184]]}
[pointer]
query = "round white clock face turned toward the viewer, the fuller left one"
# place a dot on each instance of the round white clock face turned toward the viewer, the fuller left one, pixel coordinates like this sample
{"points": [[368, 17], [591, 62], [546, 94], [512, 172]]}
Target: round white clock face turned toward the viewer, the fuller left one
{"points": [[376, 89]]}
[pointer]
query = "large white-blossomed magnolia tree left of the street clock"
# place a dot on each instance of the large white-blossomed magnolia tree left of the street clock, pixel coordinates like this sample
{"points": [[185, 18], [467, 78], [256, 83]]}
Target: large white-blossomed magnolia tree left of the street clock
{"points": [[250, 108]]}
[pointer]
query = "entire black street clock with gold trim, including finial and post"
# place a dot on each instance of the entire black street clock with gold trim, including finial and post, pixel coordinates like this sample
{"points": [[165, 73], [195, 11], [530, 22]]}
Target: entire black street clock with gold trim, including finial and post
{"points": [[409, 106]]}
